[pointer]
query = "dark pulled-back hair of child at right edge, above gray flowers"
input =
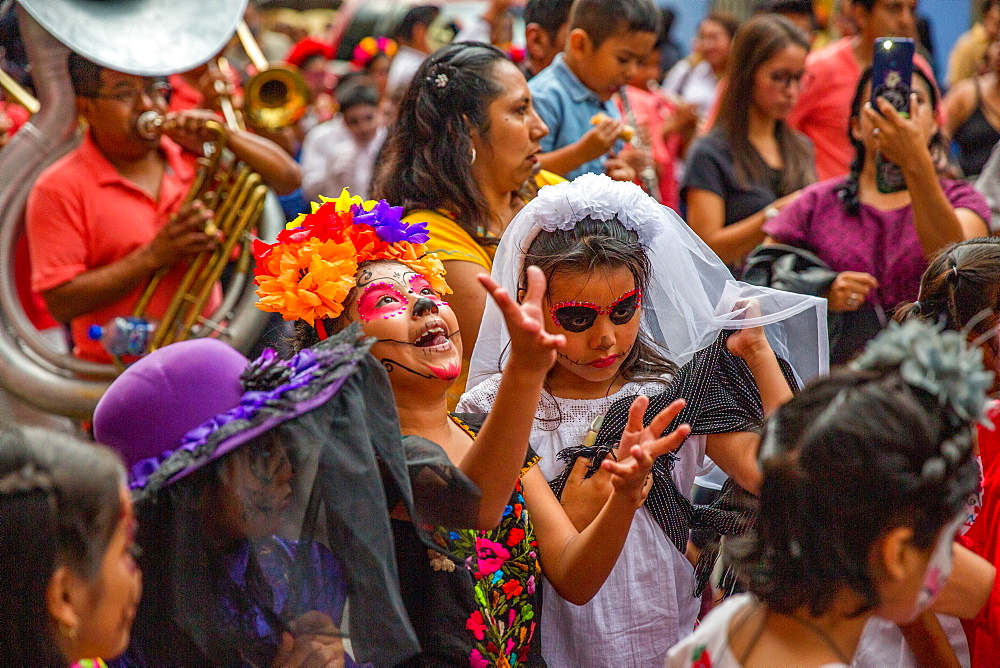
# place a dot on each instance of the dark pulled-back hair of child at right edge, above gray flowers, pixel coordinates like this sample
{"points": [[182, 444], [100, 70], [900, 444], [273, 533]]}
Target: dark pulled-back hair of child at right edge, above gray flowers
{"points": [[961, 283]]}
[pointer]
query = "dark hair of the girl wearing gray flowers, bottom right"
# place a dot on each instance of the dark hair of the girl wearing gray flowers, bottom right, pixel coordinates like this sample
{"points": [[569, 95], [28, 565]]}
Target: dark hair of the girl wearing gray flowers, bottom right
{"points": [[845, 466]]}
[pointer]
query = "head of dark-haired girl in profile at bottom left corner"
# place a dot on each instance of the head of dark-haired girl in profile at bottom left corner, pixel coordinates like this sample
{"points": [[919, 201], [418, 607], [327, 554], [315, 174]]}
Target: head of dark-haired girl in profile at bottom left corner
{"points": [[70, 584]]}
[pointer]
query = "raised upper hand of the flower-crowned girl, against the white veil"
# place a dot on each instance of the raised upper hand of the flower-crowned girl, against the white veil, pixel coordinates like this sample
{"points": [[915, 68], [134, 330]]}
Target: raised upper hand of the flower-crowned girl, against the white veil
{"points": [[532, 349]]}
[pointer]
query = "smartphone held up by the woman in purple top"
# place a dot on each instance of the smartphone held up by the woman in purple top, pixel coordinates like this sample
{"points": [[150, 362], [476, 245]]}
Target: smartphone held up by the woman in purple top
{"points": [[892, 75]]}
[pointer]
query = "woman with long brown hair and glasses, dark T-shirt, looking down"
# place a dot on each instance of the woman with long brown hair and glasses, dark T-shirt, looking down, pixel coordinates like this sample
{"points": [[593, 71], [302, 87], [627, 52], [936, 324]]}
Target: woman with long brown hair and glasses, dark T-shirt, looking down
{"points": [[751, 164]]}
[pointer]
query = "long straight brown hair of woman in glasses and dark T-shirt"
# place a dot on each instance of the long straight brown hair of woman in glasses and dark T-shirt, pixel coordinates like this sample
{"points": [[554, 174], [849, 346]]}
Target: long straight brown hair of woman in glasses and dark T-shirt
{"points": [[756, 42]]}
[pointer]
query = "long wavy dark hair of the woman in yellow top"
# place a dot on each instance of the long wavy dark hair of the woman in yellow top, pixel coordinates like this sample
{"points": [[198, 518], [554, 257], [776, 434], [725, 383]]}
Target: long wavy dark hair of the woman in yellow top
{"points": [[426, 162]]}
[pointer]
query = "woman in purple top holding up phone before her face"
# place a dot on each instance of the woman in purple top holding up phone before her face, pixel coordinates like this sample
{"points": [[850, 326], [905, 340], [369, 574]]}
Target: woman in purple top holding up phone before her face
{"points": [[892, 235]]}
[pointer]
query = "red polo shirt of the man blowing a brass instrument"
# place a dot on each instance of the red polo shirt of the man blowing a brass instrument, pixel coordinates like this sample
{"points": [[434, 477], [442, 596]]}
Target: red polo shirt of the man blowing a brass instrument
{"points": [[82, 214]]}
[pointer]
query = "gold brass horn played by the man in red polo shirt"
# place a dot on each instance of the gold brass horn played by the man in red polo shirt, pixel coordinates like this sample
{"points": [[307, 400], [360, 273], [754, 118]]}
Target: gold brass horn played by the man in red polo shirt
{"points": [[236, 196]]}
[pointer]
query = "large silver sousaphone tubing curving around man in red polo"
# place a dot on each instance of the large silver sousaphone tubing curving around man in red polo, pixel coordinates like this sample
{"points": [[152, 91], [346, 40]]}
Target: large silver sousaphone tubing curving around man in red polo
{"points": [[30, 368]]}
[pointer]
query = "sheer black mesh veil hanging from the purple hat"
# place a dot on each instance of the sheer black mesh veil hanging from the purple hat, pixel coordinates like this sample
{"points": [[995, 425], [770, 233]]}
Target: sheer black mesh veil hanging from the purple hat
{"points": [[287, 533]]}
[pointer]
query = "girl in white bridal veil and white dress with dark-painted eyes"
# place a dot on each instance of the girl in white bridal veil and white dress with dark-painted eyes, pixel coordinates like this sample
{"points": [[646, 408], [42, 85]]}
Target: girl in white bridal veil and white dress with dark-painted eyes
{"points": [[638, 255]]}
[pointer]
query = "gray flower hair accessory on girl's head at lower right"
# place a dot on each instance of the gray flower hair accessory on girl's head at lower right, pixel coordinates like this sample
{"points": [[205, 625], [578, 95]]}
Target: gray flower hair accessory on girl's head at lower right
{"points": [[936, 360]]}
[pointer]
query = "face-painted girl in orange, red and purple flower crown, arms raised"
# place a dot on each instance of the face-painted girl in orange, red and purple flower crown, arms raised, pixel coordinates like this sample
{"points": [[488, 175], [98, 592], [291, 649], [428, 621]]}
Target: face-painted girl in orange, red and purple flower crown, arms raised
{"points": [[475, 599]]}
